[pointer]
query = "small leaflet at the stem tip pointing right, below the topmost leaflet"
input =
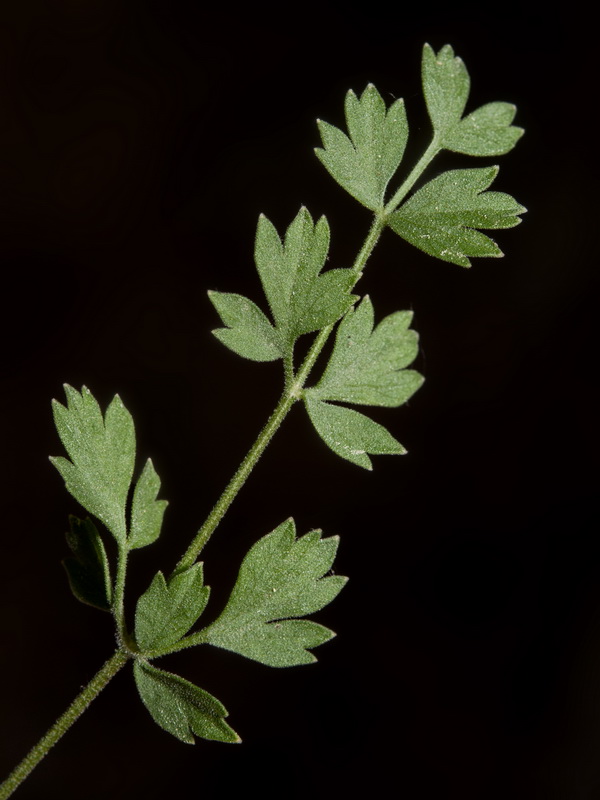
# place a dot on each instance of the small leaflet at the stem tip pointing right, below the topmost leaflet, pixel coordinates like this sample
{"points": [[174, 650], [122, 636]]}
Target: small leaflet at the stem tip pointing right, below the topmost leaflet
{"points": [[485, 132]]}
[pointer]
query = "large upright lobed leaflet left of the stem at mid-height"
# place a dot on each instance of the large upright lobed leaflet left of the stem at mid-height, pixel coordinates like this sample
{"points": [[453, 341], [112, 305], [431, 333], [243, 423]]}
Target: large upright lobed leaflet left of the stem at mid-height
{"points": [[300, 298]]}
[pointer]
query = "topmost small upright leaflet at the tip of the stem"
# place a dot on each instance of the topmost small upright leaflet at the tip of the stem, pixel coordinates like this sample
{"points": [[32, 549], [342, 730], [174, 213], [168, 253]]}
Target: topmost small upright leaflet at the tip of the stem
{"points": [[446, 86]]}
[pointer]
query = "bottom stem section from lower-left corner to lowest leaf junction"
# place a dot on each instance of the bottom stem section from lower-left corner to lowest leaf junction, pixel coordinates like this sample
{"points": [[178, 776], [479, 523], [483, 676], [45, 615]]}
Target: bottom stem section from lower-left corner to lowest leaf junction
{"points": [[63, 723]]}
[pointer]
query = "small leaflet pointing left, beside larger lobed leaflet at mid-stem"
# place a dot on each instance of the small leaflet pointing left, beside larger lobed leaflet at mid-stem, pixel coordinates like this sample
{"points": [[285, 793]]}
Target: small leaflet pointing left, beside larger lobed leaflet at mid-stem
{"points": [[249, 332]]}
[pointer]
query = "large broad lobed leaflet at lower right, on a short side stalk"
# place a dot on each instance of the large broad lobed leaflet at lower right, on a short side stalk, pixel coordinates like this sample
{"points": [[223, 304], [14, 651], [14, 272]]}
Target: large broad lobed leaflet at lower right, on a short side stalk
{"points": [[280, 577]]}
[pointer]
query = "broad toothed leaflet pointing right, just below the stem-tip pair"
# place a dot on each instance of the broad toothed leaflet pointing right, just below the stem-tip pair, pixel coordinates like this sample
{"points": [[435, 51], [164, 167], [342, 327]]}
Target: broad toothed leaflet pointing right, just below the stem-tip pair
{"points": [[441, 218]]}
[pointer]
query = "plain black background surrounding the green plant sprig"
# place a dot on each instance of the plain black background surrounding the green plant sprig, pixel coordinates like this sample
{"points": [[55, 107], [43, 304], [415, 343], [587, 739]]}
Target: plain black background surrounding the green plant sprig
{"points": [[139, 143]]}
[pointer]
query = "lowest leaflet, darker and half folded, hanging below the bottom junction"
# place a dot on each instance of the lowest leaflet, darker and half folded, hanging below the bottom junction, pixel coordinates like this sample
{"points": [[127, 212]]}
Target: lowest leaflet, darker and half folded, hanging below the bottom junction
{"points": [[180, 707]]}
